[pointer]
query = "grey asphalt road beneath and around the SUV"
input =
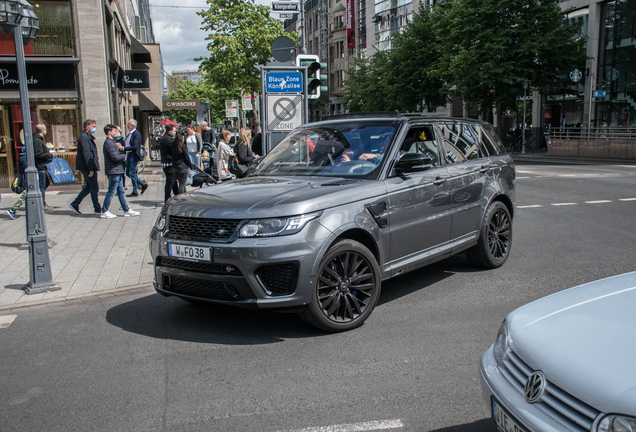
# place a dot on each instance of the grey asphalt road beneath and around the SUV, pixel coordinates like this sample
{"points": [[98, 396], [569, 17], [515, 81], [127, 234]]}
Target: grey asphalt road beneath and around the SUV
{"points": [[147, 363]]}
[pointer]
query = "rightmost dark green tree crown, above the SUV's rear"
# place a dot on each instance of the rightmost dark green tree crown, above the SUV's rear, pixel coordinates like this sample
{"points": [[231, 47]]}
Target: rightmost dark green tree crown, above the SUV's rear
{"points": [[488, 48]]}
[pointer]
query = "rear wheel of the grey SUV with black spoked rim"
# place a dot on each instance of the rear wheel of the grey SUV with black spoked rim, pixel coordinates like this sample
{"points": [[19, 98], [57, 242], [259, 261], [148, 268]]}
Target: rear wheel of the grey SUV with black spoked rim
{"points": [[495, 238]]}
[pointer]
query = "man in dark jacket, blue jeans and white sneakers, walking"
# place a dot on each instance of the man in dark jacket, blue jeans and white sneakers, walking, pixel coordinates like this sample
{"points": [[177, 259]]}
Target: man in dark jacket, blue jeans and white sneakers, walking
{"points": [[114, 170]]}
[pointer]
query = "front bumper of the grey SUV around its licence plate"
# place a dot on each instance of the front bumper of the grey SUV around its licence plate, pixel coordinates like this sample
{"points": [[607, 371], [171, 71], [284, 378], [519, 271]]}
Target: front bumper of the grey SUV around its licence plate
{"points": [[236, 274]]}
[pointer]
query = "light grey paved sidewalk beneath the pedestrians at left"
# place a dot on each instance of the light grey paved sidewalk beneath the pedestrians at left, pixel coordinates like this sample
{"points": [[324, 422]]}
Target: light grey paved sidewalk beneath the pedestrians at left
{"points": [[91, 255]]}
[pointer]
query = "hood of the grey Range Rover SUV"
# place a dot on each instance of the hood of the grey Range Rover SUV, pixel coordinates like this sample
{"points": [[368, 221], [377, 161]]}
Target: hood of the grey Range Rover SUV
{"points": [[265, 197]]}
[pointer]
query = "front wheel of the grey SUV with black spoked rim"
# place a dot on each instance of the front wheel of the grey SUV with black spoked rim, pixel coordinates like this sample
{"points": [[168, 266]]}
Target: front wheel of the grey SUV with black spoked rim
{"points": [[346, 288]]}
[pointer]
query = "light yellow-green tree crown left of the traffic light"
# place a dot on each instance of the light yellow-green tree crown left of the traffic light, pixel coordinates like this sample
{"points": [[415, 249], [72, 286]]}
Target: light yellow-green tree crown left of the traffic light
{"points": [[240, 37]]}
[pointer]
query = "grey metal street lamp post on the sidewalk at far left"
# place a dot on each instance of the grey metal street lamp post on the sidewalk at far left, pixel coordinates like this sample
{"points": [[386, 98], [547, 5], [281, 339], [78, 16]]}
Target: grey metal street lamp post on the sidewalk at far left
{"points": [[19, 18]]}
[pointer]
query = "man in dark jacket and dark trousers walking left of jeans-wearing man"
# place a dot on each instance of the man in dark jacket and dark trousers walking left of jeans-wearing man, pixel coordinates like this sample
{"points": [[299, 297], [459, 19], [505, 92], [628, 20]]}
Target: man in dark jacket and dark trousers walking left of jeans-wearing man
{"points": [[87, 162]]}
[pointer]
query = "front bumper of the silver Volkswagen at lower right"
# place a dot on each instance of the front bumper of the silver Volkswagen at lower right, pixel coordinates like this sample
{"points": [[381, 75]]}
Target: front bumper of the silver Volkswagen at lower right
{"points": [[495, 384]]}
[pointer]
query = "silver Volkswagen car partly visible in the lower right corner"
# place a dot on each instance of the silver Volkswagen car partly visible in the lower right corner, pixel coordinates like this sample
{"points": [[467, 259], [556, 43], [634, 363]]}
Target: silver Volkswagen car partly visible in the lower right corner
{"points": [[566, 362]]}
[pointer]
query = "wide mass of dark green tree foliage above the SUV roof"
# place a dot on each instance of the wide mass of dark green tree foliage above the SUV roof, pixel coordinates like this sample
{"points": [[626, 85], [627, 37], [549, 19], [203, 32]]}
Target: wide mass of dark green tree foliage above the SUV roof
{"points": [[481, 51]]}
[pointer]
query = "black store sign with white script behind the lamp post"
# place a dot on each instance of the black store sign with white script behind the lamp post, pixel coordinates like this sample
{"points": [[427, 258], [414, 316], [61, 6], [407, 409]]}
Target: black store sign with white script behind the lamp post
{"points": [[39, 76]]}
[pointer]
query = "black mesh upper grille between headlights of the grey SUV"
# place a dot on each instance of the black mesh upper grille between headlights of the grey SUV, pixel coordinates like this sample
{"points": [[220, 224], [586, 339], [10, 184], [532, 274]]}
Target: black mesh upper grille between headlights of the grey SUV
{"points": [[200, 229]]}
